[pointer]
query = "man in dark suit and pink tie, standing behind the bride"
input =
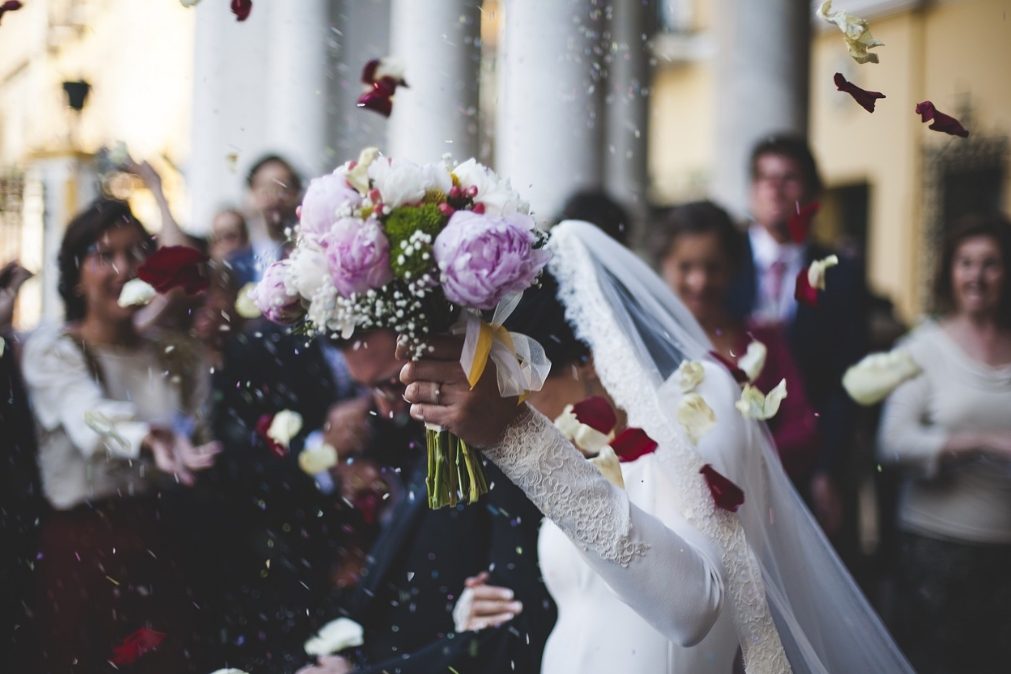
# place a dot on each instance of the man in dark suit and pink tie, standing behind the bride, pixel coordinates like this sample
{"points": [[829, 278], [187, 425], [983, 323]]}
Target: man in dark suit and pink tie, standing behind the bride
{"points": [[824, 340]]}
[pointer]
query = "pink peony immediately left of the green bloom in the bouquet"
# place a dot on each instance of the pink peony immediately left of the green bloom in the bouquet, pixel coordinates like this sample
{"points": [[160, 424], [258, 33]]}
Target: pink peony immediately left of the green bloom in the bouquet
{"points": [[358, 256]]}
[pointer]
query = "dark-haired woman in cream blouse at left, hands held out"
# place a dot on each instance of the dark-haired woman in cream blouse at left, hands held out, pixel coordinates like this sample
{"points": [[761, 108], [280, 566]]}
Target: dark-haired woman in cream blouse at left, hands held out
{"points": [[115, 412]]}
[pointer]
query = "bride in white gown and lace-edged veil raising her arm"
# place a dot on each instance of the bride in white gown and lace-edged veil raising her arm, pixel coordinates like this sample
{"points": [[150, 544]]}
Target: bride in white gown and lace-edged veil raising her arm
{"points": [[655, 577]]}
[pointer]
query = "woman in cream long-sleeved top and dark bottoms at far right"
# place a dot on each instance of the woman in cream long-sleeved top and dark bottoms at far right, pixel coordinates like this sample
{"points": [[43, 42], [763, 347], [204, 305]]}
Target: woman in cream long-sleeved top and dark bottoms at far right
{"points": [[950, 429]]}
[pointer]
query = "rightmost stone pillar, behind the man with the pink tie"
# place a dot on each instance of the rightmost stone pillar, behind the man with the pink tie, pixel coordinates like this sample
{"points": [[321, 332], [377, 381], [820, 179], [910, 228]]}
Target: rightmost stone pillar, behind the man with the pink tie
{"points": [[762, 85]]}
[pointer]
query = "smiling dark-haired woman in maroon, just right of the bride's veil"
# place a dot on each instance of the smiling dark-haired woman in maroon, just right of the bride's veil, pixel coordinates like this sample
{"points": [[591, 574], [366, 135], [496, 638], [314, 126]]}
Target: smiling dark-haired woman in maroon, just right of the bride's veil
{"points": [[699, 251]]}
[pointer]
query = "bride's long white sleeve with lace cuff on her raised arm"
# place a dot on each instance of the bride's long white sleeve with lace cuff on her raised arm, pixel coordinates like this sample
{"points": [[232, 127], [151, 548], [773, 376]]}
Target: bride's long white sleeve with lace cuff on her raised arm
{"points": [[672, 579]]}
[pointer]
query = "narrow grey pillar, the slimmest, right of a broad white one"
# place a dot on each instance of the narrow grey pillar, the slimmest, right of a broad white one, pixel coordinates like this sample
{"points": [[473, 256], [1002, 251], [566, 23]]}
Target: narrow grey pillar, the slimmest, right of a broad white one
{"points": [[627, 106]]}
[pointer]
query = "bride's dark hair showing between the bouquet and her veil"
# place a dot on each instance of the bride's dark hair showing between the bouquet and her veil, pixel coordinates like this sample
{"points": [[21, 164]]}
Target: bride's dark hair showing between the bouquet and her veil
{"points": [[541, 316]]}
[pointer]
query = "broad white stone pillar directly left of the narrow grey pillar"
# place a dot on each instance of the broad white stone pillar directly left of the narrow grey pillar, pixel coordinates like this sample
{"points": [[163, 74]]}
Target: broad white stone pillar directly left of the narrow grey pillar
{"points": [[548, 127]]}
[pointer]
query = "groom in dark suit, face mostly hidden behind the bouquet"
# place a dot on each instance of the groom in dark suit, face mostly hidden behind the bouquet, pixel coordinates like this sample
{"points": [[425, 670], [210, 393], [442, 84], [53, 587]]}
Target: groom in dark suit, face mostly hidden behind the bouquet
{"points": [[417, 570]]}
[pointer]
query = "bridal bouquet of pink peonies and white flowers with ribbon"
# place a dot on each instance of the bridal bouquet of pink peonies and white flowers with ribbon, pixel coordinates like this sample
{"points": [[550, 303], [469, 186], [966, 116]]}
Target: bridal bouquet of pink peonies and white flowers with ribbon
{"points": [[421, 250]]}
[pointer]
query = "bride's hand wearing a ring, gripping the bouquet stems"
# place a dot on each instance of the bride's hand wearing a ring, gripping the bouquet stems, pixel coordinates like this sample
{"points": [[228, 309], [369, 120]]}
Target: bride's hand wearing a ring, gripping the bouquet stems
{"points": [[439, 394]]}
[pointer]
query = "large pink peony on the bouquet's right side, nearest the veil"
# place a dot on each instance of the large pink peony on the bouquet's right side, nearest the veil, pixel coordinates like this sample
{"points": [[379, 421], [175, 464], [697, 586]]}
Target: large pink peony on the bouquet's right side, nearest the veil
{"points": [[484, 258]]}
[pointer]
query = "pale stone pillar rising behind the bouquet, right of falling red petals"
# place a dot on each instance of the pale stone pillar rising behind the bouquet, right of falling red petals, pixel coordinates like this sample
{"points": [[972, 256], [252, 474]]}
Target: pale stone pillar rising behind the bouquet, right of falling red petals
{"points": [[439, 43]]}
